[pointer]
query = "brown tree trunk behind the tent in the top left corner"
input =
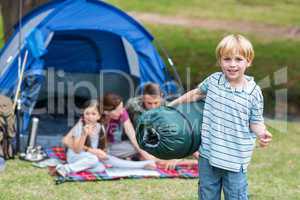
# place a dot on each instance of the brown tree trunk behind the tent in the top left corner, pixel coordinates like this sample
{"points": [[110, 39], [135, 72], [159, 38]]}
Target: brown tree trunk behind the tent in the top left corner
{"points": [[10, 13]]}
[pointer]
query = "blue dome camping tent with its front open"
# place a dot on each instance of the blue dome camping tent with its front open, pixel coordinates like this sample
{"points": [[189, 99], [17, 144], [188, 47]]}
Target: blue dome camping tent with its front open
{"points": [[76, 48]]}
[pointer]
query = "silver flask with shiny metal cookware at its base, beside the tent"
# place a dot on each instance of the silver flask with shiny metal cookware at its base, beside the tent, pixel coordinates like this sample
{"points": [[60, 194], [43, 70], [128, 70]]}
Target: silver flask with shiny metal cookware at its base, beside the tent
{"points": [[34, 153]]}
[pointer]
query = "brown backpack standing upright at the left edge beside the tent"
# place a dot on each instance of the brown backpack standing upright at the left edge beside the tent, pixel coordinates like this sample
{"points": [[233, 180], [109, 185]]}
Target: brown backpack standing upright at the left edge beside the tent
{"points": [[7, 127]]}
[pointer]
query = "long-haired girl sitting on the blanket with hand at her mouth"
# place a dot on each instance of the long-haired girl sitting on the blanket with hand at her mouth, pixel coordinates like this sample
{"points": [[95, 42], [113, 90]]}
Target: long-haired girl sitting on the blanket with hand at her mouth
{"points": [[87, 151]]}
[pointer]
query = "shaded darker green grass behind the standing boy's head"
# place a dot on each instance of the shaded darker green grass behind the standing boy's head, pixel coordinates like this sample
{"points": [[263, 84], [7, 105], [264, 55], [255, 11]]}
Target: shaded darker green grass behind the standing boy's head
{"points": [[195, 49]]}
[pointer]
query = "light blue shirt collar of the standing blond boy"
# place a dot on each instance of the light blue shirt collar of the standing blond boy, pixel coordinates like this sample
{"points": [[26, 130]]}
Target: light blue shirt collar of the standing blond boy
{"points": [[247, 88]]}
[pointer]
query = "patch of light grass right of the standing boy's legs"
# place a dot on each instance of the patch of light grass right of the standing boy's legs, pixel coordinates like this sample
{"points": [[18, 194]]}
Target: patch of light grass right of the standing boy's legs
{"points": [[275, 171]]}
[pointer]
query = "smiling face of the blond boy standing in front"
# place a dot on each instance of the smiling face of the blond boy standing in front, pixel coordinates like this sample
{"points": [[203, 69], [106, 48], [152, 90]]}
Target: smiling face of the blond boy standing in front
{"points": [[234, 67]]}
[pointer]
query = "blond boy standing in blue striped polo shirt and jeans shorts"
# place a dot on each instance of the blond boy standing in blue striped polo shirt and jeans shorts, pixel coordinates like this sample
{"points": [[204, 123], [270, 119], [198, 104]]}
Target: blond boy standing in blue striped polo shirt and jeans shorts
{"points": [[232, 119]]}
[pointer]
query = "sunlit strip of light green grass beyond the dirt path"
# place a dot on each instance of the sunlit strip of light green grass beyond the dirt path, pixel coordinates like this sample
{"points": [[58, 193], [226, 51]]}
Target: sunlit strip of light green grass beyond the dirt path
{"points": [[279, 12]]}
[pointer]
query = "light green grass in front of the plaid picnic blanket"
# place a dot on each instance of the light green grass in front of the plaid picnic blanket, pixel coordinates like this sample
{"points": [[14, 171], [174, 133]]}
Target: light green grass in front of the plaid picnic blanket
{"points": [[22, 181]]}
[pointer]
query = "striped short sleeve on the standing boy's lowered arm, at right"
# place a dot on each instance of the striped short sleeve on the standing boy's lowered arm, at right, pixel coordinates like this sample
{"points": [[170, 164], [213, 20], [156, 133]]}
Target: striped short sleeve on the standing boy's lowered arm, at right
{"points": [[257, 106]]}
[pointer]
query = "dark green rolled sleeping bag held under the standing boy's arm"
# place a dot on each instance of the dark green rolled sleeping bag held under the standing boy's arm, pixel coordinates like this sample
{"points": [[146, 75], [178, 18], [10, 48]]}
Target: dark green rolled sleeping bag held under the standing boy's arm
{"points": [[171, 132]]}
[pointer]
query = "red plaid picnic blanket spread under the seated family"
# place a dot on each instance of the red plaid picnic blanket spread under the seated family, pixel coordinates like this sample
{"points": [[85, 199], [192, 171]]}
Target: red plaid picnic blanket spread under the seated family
{"points": [[180, 171]]}
